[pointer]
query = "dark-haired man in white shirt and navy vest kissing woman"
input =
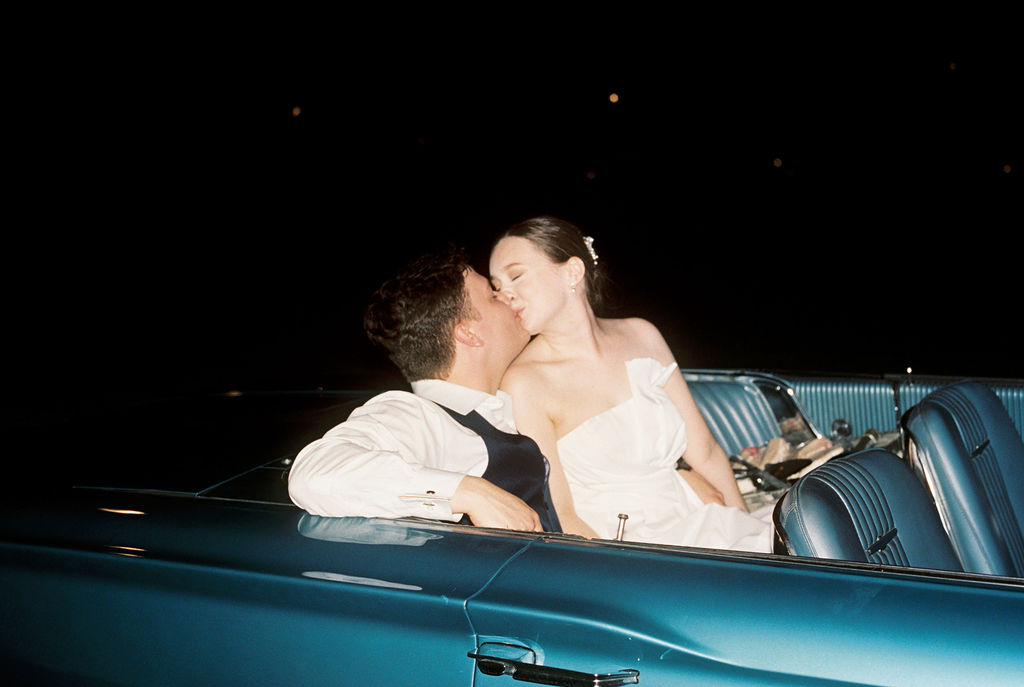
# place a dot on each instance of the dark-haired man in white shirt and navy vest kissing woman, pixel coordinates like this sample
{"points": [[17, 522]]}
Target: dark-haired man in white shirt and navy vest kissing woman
{"points": [[450, 449]]}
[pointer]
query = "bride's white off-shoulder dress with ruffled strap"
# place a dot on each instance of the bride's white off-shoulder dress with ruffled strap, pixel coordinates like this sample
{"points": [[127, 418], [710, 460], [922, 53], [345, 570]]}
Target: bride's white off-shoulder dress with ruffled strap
{"points": [[623, 461]]}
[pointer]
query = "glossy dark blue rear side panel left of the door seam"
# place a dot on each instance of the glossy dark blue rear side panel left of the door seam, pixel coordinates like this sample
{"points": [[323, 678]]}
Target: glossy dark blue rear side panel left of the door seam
{"points": [[156, 590]]}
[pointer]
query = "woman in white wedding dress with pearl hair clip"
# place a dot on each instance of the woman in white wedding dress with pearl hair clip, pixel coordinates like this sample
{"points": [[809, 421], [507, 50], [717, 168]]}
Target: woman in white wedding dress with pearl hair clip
{"points": [[609, 407]]}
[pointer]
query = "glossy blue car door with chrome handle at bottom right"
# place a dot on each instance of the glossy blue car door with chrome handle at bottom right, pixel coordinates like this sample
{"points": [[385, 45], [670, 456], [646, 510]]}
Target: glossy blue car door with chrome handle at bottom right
{"points": [[705, 618]]}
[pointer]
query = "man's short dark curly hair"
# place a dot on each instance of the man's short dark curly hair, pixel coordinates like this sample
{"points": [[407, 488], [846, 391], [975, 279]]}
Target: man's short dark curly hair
{"points": [[413, 316]]}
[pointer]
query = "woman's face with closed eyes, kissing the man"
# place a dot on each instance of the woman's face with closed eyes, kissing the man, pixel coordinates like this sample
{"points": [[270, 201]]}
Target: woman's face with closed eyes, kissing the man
{"points": [[525, 278]]}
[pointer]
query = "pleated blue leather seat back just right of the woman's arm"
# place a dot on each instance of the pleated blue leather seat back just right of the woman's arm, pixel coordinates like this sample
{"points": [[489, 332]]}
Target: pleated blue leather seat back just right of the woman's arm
{"points": [[737, 413]]}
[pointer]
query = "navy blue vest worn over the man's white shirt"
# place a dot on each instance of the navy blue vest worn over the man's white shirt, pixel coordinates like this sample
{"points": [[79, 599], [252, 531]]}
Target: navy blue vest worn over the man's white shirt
{"points": [[516, 464]]}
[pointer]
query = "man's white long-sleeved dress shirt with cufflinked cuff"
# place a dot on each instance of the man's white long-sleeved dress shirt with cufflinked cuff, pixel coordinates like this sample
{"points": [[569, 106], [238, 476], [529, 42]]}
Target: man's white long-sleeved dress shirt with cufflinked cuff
{"points": [[399, 455]]}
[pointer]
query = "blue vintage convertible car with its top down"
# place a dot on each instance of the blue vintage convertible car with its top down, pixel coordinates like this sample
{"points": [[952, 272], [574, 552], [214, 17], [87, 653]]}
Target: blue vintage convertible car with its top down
{"points": [[165, 551]]}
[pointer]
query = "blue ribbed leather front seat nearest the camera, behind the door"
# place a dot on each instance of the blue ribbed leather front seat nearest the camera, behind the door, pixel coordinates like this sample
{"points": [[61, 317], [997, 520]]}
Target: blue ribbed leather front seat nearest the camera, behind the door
{"points": [[866, 507]]}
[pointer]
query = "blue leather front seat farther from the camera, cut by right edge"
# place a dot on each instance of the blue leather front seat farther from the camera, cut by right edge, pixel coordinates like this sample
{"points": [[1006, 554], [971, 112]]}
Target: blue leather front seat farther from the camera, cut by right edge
{"points": [[963, 445]]}
